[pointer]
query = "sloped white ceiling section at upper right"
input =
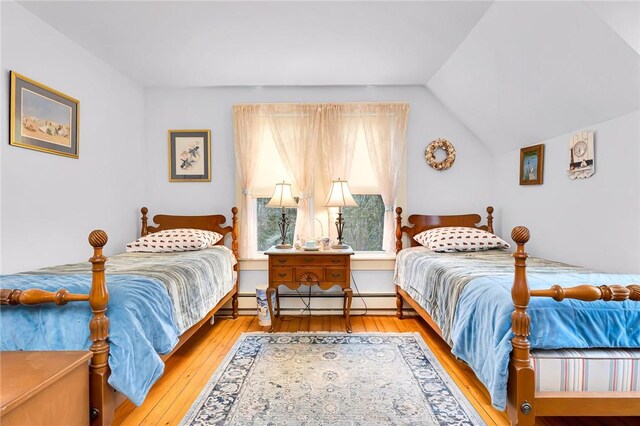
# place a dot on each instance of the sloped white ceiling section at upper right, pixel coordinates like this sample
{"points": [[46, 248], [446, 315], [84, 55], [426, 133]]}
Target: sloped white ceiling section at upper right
{"points": [[531, 71]]}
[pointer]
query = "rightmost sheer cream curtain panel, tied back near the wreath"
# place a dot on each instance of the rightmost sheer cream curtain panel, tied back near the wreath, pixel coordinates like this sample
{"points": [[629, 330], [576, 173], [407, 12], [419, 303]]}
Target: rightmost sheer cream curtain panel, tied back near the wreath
{"points": [[385, 129]]}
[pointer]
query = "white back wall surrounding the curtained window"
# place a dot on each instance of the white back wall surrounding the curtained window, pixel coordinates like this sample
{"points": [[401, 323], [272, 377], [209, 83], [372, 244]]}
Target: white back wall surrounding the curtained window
{"points": [[463, 188]]}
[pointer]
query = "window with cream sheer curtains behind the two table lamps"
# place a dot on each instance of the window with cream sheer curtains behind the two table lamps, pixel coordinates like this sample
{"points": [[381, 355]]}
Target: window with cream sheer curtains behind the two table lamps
{"points": [[367, 226]]}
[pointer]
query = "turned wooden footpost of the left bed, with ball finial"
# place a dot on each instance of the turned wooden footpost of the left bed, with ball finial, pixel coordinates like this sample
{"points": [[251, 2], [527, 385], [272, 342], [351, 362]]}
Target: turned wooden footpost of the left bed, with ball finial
{"points": [[101, 398]]}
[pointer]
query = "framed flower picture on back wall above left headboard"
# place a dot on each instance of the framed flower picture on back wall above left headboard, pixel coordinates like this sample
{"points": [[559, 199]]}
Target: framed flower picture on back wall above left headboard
{"points": [[190, 155]]}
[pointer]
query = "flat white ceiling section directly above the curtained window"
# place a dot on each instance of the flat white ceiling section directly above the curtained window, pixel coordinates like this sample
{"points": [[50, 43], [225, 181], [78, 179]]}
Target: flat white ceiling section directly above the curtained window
{"points": [[192, 44]]}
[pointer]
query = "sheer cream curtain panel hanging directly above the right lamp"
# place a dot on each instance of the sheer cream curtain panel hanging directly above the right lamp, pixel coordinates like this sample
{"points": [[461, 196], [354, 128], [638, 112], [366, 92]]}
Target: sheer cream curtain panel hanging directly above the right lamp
{"points": [[340, 123]]}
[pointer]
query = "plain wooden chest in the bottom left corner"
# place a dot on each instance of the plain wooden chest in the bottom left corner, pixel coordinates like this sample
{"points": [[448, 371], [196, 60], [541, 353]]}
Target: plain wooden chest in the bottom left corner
{"points": [[44, 388]]}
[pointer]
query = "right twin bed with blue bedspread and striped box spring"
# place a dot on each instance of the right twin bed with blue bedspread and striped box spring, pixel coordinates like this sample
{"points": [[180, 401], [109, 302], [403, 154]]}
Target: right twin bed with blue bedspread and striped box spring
{"points": [[581, 350]]}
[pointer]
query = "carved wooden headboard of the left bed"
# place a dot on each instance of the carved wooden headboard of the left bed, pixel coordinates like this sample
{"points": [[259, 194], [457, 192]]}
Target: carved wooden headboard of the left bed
{"points": [[208, 223]]}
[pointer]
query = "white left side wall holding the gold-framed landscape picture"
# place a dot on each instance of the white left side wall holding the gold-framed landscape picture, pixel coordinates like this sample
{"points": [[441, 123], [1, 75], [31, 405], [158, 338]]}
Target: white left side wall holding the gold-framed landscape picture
{"points": [[51, 203]]}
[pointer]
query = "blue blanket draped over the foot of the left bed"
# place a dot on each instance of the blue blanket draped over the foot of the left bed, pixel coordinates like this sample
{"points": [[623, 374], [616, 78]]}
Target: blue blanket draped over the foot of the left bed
{"points": [[141, 323]]}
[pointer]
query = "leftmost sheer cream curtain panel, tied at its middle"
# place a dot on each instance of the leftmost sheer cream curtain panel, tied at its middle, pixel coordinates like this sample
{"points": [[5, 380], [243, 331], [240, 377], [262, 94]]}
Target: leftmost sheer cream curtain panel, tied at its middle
{"points": [[248, 129]]}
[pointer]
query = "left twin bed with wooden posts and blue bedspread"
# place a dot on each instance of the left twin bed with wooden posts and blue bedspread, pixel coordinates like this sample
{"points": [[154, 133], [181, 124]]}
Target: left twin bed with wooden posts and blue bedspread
{"points": [[153, 299]]}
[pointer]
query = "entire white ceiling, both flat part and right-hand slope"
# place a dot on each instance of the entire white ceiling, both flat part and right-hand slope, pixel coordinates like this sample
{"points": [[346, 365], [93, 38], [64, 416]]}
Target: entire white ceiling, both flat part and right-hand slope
{"points": [[515, 73]]}
